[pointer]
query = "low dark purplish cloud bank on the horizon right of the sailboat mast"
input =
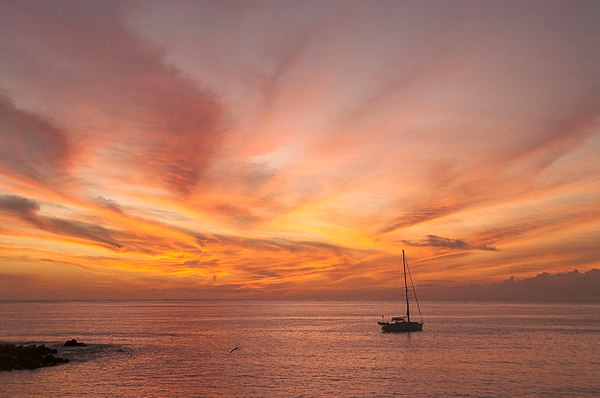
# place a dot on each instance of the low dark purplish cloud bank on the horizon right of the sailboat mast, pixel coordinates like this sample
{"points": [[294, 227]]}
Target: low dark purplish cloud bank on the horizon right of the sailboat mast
{"points": [[571, 286]]}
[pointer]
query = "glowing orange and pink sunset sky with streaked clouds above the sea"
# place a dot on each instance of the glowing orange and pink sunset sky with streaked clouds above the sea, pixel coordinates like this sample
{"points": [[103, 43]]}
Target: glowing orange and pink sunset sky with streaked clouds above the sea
{"points": [[275, 149]]}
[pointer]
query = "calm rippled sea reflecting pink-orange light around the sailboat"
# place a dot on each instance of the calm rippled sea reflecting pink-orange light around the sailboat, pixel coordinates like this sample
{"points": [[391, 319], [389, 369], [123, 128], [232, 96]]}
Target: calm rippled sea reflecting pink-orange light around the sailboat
{"points": [[139, 349]]}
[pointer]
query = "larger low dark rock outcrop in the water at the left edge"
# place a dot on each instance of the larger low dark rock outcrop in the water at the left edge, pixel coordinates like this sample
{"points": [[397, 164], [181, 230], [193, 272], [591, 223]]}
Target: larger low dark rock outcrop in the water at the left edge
{"points": [[27, 357]]}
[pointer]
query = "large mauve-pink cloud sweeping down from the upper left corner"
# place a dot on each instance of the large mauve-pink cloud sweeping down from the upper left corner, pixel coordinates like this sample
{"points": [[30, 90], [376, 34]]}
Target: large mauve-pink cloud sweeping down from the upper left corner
{"points": [[131, 106]]}
